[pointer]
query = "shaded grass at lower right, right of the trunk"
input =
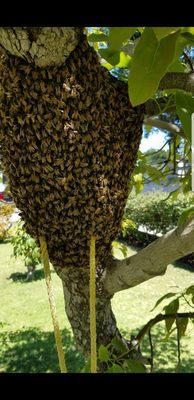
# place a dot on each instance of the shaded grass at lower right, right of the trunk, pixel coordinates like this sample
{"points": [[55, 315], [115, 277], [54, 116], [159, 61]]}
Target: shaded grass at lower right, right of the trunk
{"points": [[165, 352]]}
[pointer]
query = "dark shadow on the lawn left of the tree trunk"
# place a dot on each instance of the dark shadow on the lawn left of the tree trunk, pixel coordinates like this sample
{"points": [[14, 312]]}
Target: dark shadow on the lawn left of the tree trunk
{"points": [[32, 350]]}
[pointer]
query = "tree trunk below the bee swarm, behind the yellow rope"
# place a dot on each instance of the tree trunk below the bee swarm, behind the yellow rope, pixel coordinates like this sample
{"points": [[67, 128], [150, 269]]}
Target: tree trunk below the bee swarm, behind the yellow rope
{"points": [[76, 295]]}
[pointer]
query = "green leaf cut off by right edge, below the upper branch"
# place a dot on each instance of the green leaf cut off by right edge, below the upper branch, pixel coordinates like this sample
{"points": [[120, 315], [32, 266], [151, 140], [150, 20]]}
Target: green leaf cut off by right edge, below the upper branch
{"points": [[185, 108]]}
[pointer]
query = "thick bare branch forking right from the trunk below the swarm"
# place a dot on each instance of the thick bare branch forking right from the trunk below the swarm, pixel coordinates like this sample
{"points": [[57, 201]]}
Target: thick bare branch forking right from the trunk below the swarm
{"points": [[151, 261]]}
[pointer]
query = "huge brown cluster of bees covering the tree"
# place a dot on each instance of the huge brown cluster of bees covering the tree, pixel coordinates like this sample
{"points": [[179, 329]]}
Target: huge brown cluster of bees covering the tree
{"points": [[69, 140]]}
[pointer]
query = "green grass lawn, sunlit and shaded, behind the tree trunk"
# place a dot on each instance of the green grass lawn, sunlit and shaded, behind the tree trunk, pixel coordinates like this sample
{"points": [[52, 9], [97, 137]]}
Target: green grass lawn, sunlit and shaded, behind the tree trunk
{"points": [[26, 333]]}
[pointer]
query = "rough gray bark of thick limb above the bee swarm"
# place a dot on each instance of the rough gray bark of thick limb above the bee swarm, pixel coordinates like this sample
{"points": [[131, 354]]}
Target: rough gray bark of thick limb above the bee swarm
{"points": [[46, 46]]}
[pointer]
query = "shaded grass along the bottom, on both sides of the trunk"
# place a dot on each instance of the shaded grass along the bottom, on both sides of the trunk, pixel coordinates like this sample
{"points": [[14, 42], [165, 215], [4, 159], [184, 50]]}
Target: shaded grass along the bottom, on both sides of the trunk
{"points": [[33, 351]]}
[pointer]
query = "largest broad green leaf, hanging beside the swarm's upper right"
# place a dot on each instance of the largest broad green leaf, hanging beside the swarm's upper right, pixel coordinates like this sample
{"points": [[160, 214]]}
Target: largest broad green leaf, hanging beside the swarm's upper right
{"points": [[150, 62]]}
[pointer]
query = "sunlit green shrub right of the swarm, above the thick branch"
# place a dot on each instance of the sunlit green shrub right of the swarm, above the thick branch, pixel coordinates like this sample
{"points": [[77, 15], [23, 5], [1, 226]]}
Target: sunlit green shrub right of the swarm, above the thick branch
{"points": [[154, 212]]}
